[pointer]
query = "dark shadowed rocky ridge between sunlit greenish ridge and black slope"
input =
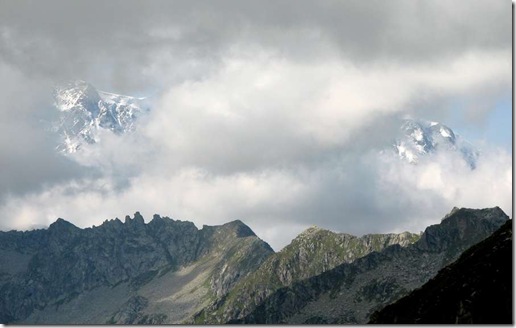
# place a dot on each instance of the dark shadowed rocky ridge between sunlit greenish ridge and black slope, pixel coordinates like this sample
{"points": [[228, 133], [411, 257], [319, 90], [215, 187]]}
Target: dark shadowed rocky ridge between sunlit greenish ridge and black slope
{"points": [[351, 292]]}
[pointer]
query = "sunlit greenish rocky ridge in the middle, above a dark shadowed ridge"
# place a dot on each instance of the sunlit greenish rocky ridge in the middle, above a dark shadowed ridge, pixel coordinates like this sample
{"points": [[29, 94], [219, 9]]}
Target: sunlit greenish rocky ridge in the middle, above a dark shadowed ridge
{"points": [[311, 253]]}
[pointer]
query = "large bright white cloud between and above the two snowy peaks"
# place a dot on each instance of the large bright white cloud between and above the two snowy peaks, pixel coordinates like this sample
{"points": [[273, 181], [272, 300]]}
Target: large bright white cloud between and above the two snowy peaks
{"points": [[267, 110]]}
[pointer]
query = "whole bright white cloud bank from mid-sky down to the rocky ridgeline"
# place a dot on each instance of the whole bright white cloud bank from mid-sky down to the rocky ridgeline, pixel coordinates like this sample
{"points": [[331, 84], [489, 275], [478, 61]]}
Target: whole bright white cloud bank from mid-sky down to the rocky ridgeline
{"points": [[283, 144]]}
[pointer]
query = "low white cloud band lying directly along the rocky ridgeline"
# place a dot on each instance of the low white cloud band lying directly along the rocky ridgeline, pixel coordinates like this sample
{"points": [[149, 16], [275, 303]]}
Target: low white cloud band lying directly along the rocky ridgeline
{"points": [[359, 194]]}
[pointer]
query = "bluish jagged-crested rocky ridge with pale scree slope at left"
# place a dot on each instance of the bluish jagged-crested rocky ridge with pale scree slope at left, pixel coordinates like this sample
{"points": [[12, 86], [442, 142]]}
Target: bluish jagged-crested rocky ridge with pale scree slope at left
{"points": [[64, 266]]}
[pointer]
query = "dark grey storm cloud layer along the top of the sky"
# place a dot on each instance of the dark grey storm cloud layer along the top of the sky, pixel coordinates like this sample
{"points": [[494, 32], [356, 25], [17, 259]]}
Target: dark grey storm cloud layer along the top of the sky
{"points": [[114, 41]]}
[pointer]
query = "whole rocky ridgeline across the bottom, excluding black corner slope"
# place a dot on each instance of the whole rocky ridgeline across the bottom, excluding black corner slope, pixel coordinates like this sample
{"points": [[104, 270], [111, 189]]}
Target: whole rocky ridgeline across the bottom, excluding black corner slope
{"points": [[168, 271]]}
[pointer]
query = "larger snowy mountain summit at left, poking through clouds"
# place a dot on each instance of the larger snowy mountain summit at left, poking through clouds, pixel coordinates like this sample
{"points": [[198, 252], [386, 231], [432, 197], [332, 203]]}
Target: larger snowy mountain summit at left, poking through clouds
{"points": [[85, 111]]}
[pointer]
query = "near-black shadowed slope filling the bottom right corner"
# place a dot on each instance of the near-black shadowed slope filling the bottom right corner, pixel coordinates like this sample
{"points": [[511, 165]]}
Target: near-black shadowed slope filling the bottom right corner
{"points": [[476, 289]]}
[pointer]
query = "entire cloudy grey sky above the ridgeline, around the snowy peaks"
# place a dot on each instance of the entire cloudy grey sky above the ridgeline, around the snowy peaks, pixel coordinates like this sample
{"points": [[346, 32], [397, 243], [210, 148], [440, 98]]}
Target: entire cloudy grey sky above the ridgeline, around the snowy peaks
{"points": [[271, 112]]}
